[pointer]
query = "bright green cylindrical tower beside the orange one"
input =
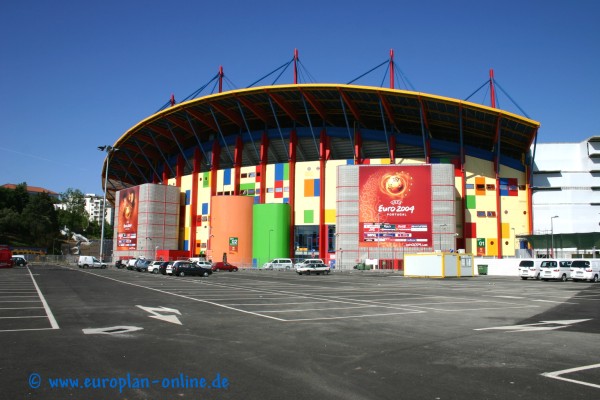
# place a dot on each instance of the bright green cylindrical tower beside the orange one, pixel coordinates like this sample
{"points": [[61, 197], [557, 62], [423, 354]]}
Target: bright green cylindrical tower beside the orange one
{"points": [[270, 233]]}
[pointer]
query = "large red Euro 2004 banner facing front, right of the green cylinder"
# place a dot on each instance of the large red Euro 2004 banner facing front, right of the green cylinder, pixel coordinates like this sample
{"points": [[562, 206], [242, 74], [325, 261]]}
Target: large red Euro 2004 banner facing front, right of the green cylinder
{"points": [[395, 206]]}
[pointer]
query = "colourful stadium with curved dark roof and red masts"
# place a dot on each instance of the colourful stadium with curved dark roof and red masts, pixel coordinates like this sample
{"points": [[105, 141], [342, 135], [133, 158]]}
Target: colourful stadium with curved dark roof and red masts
{"points": [[339, 172]]}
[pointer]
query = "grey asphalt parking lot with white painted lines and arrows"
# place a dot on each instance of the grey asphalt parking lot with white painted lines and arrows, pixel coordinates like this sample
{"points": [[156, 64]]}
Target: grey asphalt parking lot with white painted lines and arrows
{"points": [[82, 333]]}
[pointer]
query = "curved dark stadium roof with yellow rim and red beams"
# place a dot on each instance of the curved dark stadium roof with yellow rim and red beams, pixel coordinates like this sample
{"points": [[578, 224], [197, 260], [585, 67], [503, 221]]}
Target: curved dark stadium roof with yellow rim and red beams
{"points": [[419, 122]]}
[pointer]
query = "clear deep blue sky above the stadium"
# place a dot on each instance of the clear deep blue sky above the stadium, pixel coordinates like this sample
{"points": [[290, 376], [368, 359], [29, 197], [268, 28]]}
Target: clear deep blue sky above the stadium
{"points": [[79, 74]]}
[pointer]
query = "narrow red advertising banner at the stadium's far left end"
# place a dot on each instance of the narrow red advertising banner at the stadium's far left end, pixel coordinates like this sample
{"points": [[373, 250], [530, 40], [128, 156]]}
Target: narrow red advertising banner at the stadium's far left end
{"points": [[128, 219]]}
